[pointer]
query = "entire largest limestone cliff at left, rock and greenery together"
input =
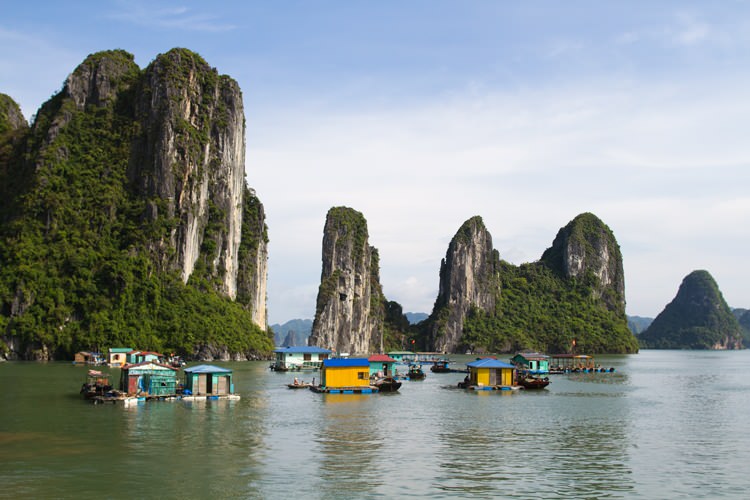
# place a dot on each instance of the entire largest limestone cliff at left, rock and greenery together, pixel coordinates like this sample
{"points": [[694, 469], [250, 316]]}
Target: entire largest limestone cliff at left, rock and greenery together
{"points": [[130, 221]]}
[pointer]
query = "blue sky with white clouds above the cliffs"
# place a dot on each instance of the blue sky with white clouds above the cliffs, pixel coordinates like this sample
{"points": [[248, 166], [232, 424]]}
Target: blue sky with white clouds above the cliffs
{"points": [[421, 114]]}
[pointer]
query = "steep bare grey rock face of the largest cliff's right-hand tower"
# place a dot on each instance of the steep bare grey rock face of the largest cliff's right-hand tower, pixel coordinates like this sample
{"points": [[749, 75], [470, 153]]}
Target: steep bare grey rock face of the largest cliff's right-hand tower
{"points": [[191, 157]]}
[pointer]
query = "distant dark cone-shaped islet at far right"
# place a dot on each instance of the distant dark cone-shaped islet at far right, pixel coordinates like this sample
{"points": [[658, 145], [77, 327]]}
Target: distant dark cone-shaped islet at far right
{"points": [[697, 318]]}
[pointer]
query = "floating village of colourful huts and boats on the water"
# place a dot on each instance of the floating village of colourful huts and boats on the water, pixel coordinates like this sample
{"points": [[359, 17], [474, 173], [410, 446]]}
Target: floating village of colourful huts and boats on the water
{"points": [[151, 376]]}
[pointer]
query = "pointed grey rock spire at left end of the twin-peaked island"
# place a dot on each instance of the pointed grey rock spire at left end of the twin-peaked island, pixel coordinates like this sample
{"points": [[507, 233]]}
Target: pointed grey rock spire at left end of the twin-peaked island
{"points": [[468, 279]]}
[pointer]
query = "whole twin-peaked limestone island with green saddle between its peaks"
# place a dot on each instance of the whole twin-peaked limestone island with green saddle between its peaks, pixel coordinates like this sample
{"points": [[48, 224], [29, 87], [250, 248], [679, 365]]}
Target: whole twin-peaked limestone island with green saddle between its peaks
{"points": [[573, 298]]}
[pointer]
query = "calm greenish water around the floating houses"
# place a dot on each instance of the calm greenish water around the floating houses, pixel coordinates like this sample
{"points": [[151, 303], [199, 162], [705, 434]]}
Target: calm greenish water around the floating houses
{"points": [[667, 424]]}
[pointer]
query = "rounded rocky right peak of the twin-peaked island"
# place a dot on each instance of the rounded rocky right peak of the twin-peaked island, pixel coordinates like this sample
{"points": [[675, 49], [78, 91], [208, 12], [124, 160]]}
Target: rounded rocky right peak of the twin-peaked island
{"points": [[587, 250]]}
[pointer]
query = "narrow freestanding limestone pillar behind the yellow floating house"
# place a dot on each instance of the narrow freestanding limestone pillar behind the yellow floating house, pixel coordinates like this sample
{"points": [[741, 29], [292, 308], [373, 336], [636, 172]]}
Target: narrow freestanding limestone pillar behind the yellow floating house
{"points": [[349, 315]]}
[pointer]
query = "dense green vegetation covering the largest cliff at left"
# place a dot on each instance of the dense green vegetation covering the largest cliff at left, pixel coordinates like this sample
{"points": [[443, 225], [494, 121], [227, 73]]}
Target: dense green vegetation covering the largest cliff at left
{"points": [[76, 271]]}
